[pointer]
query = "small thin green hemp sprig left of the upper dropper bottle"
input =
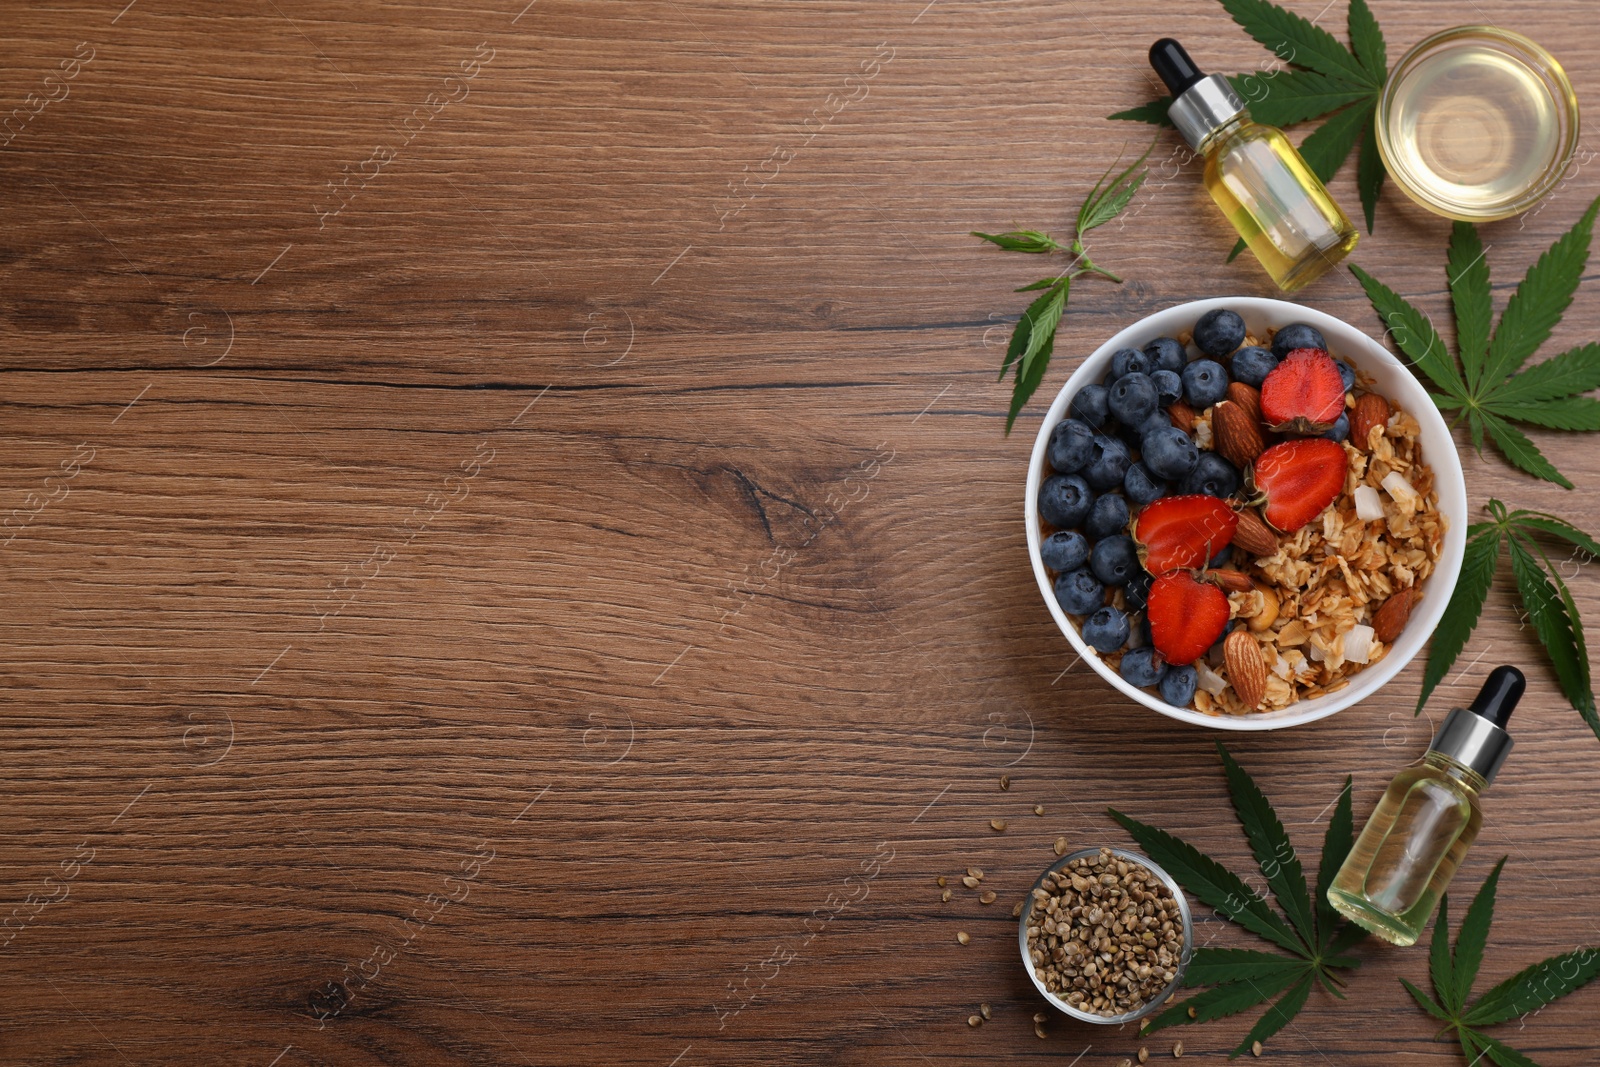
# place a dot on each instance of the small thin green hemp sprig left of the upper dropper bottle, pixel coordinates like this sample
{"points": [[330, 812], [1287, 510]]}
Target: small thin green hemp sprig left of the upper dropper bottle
{"points": [[1034, 338]]}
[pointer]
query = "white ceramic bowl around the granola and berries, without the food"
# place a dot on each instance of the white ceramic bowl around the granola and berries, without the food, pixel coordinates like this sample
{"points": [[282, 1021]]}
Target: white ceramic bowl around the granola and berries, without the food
{"points": [[1393, 380]]}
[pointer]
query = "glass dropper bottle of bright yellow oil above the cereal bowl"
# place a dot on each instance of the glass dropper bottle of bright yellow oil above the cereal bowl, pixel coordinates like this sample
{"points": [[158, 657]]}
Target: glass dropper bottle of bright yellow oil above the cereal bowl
{"points": [[1255, 175]]}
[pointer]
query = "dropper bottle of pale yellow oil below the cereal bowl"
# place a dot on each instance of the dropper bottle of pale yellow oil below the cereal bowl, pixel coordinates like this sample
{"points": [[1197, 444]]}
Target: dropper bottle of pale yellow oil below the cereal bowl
{"points": [[1428, 820]]}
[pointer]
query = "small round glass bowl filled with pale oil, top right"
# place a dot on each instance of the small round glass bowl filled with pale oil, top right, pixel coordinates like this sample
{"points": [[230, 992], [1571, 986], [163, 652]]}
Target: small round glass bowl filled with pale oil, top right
{"points": [[1478, 124]]}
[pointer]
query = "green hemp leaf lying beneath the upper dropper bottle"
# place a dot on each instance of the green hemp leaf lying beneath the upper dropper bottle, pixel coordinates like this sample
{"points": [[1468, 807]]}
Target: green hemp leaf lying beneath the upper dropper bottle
{"points": [[1326, 79]]}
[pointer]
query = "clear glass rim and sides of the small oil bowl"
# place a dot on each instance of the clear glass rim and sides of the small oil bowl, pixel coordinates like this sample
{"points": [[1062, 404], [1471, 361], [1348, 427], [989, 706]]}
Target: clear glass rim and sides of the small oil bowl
{"points": [[1516, 49]]}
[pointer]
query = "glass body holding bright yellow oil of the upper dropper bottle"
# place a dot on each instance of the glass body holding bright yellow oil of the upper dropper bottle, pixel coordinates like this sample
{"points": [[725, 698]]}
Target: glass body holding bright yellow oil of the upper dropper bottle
{"points": [[1276, 204]]}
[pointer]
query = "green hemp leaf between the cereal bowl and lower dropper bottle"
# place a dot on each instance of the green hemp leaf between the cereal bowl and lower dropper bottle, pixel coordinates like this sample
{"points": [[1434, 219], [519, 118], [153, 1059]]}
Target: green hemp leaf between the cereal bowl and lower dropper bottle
{"points": [[1545, 597]]}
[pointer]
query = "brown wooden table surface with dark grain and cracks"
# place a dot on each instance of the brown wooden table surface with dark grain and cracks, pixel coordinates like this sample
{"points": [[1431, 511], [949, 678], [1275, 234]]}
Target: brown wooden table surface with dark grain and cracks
{"points": [[514, 561]]}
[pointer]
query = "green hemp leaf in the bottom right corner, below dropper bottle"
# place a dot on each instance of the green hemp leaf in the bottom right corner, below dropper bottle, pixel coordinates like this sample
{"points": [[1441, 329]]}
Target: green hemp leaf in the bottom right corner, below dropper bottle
{"points": [[1521, 994]]}
